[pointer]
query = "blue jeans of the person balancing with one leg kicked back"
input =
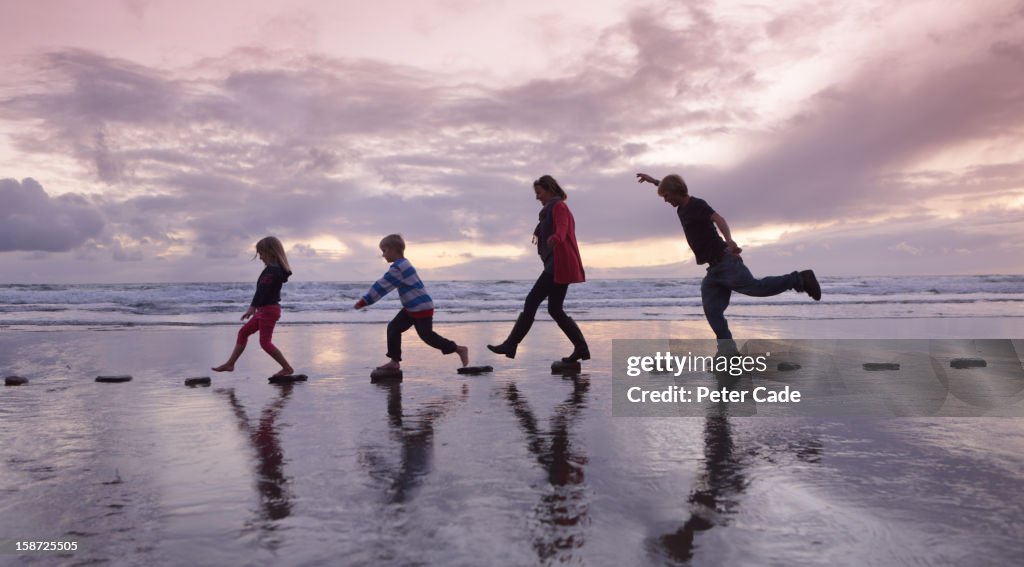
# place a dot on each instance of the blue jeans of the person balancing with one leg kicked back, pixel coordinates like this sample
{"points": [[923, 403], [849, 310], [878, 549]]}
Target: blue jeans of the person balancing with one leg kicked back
{"points": [[730, 276]]}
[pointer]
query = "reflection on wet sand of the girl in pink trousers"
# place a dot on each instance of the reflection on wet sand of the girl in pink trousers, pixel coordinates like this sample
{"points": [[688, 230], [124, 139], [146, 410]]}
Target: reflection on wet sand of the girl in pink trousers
{"points": [[276, 502]]}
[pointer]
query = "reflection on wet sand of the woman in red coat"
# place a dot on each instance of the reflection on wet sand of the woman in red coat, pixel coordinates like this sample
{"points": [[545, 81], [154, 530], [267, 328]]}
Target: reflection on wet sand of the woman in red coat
{"points": [[564, 511]]}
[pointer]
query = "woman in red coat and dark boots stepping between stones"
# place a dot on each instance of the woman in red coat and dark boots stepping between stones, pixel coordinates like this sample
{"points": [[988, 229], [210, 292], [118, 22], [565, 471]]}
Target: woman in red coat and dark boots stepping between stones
{"points": [[556, 238]]}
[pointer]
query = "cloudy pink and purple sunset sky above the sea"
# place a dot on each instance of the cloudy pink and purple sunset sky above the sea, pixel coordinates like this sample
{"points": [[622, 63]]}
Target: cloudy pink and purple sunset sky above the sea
{"points": [[153, 141]]}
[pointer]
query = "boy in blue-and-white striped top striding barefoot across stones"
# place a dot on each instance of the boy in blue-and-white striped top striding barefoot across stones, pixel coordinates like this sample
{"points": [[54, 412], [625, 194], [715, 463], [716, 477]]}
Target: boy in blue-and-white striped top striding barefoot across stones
{"points": [[418, 309]]}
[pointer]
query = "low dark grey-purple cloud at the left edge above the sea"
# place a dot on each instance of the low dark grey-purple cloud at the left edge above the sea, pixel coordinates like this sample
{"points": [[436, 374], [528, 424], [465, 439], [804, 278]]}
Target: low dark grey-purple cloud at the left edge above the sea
{"points": [[31, 221]]}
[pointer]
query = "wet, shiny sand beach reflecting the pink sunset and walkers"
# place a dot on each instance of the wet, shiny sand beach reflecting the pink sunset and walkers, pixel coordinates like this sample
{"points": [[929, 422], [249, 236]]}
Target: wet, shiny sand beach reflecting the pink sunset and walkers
{"points": [[517, 467]]}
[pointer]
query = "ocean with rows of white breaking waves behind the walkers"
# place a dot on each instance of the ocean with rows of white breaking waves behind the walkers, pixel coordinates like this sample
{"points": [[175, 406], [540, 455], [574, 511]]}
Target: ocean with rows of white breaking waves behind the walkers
{"points": [[30, 307]]}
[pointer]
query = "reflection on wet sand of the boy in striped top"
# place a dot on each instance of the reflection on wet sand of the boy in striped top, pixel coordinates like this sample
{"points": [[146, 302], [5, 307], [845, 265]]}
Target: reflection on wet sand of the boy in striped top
{"points": [[416, 434]]}
